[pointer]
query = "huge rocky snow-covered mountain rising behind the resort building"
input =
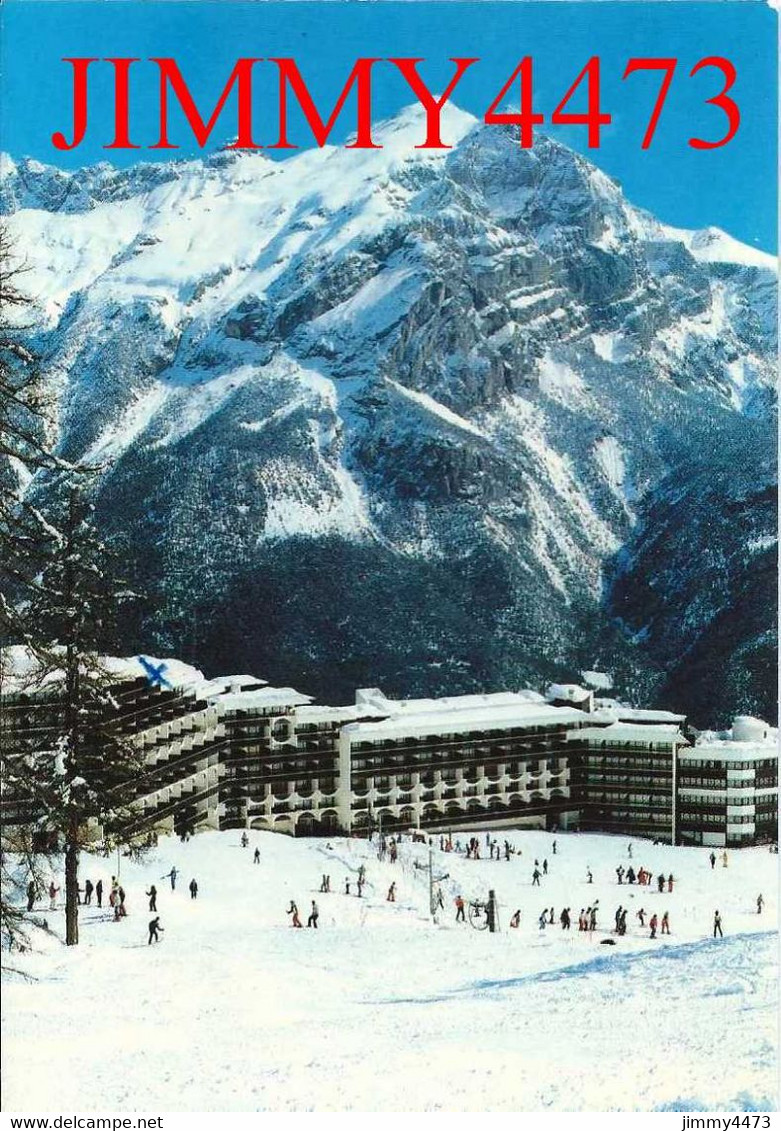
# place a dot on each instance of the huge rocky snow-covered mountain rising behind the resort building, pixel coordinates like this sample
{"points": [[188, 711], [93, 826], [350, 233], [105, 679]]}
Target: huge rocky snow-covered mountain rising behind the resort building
{"points": [[432, 421]]}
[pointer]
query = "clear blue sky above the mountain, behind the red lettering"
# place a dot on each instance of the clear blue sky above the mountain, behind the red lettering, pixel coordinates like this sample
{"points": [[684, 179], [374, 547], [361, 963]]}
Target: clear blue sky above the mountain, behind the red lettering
{"points": [[734, 187]]}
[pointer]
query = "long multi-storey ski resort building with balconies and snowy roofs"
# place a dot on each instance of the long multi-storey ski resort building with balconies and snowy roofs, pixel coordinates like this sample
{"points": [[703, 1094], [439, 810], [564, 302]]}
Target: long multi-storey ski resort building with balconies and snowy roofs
{"points": [[236, 753]]}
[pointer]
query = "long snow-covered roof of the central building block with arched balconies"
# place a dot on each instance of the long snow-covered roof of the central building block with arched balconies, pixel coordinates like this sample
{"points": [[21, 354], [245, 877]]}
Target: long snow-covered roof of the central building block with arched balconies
{"points": [[463, 721]]}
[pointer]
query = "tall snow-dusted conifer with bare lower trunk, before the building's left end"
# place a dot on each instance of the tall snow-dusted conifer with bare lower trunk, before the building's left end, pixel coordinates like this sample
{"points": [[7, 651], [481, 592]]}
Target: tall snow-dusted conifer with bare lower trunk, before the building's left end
{"points": [[84, 772]]}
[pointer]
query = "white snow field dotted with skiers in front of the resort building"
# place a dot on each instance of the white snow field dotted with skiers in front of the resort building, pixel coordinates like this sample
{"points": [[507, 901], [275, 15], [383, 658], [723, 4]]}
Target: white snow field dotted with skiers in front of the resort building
{"points": [[380, 1009]]}
